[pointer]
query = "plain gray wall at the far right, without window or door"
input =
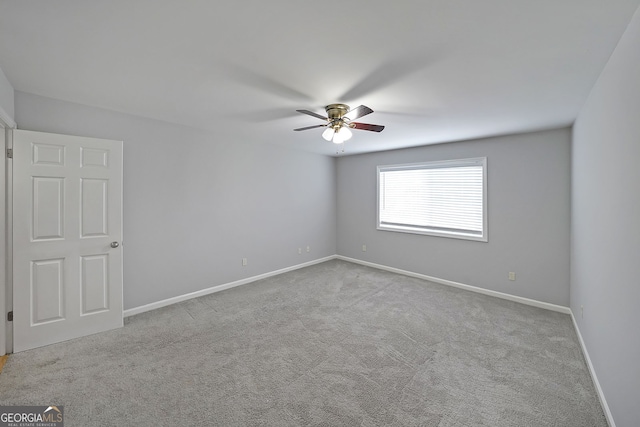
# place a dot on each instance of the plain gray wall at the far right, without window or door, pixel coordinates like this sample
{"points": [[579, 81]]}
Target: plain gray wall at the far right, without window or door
{"points": [[605, 267]]}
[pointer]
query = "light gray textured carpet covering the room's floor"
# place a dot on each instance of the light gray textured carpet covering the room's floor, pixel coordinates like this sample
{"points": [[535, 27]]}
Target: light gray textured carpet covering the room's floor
{"points": [[335, 344]]}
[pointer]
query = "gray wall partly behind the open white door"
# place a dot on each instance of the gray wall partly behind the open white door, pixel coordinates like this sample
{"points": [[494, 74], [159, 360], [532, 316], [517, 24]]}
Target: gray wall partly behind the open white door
{"points": [[194, 205]]}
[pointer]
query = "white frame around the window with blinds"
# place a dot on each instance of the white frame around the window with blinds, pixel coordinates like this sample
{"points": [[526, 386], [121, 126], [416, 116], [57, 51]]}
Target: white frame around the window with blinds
{"points": [[437, 164]]}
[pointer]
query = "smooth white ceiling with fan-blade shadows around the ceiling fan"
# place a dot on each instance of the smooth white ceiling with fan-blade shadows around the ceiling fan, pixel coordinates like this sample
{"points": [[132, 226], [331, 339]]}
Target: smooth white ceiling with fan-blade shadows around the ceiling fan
{"points": [[433, 70]]}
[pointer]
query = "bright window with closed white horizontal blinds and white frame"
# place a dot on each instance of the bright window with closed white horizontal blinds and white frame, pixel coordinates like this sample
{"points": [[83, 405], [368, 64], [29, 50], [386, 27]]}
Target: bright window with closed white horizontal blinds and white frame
{"points": [[443, 198]]}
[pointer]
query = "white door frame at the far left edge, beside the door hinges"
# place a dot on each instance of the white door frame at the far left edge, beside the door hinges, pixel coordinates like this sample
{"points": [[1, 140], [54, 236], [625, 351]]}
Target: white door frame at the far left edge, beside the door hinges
{"points": [[6, 261]]}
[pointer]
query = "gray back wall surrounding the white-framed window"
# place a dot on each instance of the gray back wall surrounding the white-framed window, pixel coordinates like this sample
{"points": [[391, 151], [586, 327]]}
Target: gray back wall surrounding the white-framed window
{"points": [[528, 212]]}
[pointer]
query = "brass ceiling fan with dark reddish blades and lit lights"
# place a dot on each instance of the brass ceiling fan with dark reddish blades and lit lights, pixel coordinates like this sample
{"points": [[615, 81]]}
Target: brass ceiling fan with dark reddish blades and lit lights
{"points": [[340, 121]]}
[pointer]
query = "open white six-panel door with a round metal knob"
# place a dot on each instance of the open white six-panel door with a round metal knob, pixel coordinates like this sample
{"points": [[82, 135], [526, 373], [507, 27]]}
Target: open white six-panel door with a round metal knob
{"points": [[67, 230]]}
